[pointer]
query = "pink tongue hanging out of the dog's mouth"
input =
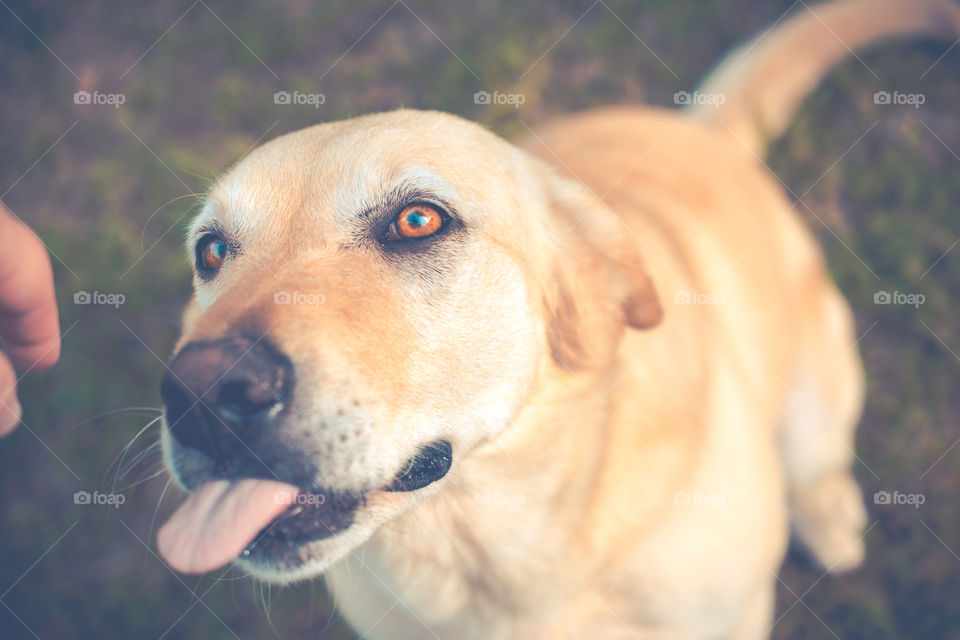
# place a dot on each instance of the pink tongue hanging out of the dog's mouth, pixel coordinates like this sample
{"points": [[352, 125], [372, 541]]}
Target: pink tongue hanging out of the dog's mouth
{"points": [[219, 520]]}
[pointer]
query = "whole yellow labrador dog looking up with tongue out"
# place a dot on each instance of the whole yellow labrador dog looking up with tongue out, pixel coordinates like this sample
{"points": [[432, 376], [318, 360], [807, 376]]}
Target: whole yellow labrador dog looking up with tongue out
{"points": [[581, 388]]}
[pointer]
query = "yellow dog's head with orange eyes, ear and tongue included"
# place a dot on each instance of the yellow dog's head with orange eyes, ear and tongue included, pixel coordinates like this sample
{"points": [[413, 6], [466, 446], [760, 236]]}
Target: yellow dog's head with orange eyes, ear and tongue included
{"points": [[374, 298]]}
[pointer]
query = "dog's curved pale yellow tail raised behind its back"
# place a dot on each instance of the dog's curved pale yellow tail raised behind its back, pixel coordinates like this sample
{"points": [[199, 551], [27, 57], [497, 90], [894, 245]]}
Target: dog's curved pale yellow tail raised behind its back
{"points": [[760, 84]]}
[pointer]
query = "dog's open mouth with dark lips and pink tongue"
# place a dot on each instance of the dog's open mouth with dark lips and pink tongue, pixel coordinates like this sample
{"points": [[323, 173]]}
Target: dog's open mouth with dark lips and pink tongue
{"points": [[270, 522]]}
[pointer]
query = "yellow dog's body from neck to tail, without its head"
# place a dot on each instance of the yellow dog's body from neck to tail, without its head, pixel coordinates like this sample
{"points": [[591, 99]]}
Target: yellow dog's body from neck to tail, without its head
{"points": [[723, 427]]}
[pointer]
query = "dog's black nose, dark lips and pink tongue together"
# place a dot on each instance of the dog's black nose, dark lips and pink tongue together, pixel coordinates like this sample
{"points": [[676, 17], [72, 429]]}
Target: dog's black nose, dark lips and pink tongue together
{"points": [[227, 399]]}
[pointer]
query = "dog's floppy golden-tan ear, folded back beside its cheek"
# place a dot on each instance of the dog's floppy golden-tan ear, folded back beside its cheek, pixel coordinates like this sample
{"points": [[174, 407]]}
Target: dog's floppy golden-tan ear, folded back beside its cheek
{"points": [[598, 285]]}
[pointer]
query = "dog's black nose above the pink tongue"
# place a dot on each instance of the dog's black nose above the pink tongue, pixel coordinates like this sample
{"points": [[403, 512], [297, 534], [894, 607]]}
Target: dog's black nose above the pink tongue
{"points": [[220, 394]]}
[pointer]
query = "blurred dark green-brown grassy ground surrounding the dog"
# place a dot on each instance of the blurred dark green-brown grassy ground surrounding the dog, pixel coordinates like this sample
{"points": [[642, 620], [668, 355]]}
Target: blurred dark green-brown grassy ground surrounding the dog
{"points": [[116, 117]]}
